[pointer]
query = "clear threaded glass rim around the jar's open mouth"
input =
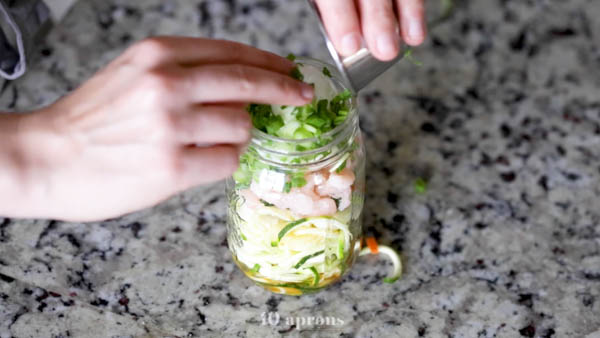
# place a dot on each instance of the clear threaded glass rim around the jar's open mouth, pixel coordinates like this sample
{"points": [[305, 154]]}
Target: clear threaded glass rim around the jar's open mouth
{"points": [[258, 135]]}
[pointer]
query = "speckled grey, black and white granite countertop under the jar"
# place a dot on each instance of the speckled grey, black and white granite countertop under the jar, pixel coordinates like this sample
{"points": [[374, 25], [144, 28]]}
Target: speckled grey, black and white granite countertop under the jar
{"points": [[502, 118]]}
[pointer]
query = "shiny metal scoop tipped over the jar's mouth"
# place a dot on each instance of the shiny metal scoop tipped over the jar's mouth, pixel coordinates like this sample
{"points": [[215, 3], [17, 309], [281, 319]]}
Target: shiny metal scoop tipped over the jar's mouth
{"points": [[358, 69]]}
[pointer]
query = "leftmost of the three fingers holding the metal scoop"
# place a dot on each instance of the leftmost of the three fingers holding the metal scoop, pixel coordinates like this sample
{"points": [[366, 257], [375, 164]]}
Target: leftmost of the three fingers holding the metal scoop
{"points": [[342, 24]]}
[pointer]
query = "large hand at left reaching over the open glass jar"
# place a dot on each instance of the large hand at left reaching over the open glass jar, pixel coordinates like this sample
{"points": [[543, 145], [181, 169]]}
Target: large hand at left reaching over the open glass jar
{"points": [[126, 139]]}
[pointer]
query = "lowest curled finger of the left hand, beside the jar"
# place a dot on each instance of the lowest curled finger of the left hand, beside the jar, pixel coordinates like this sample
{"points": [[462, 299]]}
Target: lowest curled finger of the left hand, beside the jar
{"points": [[203, 165]]}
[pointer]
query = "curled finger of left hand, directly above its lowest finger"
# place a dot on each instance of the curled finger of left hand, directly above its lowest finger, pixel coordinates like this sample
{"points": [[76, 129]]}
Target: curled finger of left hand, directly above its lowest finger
{"points": [[213, 124]]}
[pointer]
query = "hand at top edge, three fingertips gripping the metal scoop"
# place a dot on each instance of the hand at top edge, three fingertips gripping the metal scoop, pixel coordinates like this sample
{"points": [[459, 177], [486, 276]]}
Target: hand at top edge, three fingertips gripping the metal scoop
{"points": [[348, 22]]}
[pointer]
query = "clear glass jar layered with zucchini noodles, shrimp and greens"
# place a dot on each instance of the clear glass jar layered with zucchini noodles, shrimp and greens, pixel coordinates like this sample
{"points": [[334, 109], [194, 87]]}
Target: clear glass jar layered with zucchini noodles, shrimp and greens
{"points": [[295, 206]]}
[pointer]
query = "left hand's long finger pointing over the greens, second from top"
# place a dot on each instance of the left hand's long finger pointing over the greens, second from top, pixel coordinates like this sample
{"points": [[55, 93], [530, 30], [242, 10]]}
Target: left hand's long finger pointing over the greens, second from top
{"points": [[240, 83]]}
